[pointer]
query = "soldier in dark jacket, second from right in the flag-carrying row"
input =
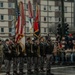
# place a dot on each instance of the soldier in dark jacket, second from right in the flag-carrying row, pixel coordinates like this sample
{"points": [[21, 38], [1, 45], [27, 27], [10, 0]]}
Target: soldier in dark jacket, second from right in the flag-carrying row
{"points": [[42, 53]]}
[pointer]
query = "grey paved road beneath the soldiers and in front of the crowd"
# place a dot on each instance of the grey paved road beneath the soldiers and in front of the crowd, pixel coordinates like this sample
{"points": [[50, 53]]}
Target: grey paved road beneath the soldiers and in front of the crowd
{"points": [[67, 70]]}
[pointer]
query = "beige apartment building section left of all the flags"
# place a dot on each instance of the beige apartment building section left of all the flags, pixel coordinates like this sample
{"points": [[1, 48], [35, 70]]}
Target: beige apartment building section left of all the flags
{"points": [[6, 17]]}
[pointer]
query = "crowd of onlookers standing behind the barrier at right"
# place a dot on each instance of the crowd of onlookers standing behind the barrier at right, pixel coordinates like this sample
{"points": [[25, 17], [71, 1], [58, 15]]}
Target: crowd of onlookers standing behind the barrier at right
{"points": [[64, 50]]}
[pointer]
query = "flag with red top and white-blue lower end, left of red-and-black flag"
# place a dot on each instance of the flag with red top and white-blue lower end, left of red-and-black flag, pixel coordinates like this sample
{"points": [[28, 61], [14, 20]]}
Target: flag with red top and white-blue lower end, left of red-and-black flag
{"points": [[30, 12]]}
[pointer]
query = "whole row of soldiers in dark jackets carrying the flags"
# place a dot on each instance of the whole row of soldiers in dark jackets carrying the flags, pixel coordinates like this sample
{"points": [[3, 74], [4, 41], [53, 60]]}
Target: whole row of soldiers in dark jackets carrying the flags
{"points": [[36, 51]]}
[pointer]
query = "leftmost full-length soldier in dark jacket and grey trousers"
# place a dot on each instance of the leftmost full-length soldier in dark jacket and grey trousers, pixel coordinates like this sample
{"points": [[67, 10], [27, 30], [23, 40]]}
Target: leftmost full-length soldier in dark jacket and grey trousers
{"points": [[8, 57]]}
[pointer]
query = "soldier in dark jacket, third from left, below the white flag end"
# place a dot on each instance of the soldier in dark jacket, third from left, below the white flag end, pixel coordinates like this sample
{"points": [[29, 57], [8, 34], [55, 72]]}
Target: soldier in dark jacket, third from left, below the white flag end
{"points": [[20, 57]]}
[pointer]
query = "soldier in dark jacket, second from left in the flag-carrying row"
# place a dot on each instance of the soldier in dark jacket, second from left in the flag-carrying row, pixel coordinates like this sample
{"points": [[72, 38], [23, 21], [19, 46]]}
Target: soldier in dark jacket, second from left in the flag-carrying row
{"points": [[14, 56]]}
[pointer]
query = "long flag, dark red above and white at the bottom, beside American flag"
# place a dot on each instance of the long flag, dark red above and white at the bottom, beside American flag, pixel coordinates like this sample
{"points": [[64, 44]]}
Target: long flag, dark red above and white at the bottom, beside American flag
{"points": [[23, 22]]}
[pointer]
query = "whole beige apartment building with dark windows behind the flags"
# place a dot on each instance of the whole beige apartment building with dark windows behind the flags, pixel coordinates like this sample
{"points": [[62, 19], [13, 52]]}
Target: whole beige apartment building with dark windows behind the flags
{"points": [[50, 15]]}
